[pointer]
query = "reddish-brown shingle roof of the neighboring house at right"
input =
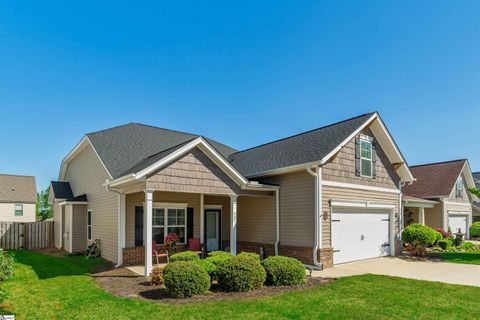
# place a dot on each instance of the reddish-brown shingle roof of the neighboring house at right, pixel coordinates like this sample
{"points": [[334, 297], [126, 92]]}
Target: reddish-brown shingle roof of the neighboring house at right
{"points": [[434, 180]]}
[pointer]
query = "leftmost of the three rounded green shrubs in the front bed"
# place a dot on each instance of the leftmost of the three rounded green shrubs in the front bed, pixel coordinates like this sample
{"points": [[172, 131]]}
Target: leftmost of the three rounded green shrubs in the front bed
{"points": [[184, 279]]}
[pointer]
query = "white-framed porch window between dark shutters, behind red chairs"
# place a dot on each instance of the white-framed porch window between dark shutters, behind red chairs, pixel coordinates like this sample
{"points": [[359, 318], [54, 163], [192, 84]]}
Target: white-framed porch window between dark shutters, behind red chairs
{"points": [[167, 220]]}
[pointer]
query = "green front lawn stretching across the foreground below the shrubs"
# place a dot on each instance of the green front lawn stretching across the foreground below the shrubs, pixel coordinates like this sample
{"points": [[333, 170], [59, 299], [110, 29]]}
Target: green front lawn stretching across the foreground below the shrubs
{"points": [[45, 287]]}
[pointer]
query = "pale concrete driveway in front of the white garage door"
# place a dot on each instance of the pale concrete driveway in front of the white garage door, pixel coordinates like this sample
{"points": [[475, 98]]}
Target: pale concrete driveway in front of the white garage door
{"points": [[428, 270]]}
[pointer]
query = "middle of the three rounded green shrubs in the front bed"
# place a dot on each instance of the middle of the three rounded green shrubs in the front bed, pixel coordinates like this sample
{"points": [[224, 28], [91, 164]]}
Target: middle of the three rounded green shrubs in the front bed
{"points": [[240, 274]]}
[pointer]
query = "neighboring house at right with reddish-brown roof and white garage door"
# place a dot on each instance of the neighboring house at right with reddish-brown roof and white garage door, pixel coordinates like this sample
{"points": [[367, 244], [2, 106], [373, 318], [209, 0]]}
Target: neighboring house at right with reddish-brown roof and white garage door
{"points": [[439, 197]]}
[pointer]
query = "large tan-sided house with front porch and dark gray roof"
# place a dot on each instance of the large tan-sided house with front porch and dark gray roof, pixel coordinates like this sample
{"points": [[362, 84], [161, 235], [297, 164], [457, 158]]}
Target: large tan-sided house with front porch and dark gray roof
{"points": [[325, 196]]}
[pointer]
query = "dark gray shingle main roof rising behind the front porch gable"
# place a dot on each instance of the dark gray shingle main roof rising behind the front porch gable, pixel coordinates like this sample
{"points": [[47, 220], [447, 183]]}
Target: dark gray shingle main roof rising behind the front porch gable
{"points": [[124, 148]]}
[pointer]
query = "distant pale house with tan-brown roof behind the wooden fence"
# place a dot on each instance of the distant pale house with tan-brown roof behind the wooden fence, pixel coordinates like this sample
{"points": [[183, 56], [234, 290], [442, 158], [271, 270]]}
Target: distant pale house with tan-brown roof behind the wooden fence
{"points": [[18, 196]]}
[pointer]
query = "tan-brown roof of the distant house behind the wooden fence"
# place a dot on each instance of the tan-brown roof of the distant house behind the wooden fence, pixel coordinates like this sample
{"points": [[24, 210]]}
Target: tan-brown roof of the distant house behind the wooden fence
{"points": [[15, 188]]}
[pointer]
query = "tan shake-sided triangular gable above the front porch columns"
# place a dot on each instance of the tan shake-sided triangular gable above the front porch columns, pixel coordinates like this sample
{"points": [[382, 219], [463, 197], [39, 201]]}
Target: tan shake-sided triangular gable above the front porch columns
{"points": [[194, 173]]}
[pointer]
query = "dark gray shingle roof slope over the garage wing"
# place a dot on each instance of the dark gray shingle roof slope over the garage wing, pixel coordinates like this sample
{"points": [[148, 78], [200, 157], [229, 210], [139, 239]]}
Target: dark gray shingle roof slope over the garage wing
{"points": [[299, 149]]}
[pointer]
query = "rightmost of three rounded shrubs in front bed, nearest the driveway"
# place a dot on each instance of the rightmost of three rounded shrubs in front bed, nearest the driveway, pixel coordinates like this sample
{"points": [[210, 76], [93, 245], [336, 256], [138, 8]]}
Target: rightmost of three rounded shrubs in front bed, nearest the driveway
{"points": [[284, 271]]}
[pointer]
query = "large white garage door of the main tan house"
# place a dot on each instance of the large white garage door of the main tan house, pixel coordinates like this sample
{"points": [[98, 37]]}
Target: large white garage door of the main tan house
{"points": [[359, 234]]}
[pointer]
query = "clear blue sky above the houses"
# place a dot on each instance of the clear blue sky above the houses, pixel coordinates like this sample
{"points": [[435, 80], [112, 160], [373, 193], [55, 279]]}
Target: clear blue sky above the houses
{"points": [[244, 72]]}
